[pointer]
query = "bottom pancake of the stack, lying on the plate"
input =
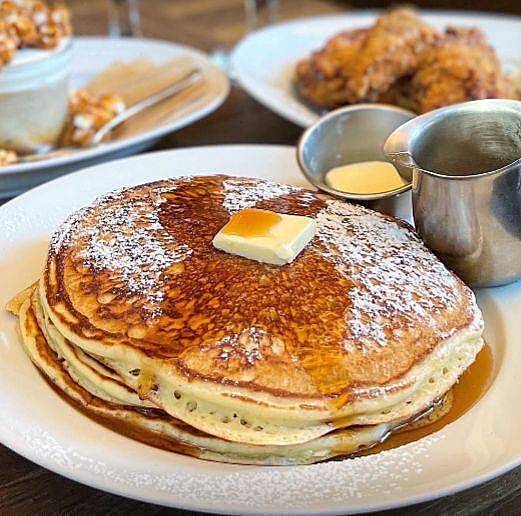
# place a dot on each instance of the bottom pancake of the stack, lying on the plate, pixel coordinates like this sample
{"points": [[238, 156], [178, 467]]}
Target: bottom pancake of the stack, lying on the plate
{"points": [[157, 428]]}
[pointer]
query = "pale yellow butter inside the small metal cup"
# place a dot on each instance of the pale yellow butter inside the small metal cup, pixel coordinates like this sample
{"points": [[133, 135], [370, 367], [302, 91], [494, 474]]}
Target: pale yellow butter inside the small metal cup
{"points": [[367, 177]]}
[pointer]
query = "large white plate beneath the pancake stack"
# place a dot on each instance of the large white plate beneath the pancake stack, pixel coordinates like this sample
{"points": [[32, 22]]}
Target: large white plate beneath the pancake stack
{"points": [[39, 425]]}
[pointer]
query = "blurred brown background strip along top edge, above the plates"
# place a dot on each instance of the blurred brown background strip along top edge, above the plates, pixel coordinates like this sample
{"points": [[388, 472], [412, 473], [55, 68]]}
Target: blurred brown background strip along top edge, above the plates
{"points": [[208, 24]]}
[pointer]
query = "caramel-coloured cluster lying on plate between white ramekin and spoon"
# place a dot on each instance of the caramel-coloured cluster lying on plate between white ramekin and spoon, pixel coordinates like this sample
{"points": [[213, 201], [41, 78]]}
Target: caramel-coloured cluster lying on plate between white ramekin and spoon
{"points": [[87, 114]]}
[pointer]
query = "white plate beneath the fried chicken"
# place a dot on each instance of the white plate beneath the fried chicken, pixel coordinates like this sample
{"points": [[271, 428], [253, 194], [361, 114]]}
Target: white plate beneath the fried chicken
{"points": [[264, 62]]}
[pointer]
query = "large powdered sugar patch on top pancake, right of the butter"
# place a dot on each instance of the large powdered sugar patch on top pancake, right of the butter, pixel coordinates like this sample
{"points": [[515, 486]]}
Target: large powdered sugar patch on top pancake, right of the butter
{"points": [[393, 273]]}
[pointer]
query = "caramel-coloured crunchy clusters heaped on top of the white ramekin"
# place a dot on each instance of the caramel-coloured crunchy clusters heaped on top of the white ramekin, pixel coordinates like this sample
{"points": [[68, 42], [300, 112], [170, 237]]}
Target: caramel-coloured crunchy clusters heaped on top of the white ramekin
{"points": [[31, 23]]}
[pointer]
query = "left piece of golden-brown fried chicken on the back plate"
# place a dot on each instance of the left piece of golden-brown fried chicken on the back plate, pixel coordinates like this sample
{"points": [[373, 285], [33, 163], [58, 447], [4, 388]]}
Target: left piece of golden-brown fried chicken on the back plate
{"points": [[361, 65]]}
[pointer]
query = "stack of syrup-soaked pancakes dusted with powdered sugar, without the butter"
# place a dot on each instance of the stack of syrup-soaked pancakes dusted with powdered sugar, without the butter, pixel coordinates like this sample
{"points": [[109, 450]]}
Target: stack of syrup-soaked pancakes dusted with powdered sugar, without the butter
{"points": [[144, 325]]}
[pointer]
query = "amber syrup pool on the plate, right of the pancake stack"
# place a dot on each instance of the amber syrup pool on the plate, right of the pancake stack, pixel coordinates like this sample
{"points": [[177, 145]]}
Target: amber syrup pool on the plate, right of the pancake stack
{"points": [[472, 385]]}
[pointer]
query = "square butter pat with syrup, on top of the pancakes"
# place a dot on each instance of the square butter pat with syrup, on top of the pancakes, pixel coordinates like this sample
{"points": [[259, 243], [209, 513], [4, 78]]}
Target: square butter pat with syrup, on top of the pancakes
{"points": [[265, 236]]}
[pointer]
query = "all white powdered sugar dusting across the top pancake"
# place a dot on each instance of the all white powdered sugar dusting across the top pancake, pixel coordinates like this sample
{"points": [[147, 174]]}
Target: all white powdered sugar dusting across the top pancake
{"points": [[396, 282]]}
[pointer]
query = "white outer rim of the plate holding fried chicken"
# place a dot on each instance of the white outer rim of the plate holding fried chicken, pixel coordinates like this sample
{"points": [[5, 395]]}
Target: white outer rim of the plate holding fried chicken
{"points": [[242, 51]]}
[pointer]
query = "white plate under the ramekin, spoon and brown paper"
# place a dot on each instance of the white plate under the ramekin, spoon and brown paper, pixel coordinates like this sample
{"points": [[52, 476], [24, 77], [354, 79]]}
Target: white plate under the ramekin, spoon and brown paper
{"points": [[91, 56]]}
